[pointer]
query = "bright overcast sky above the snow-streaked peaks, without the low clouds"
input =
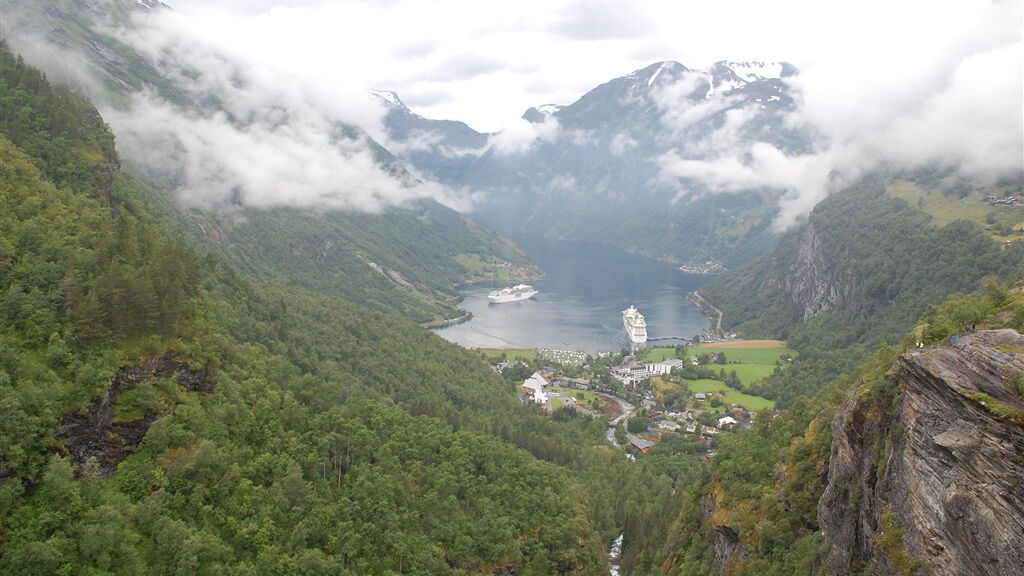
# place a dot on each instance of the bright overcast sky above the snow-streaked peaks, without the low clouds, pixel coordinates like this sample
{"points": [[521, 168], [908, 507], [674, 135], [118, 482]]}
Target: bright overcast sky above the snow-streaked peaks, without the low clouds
{"points": [[486, 63]]}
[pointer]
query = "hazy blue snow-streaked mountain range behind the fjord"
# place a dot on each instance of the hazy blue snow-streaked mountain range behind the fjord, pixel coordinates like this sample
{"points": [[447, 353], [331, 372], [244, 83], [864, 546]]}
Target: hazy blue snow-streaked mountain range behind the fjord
{"points": [[599, 171]]}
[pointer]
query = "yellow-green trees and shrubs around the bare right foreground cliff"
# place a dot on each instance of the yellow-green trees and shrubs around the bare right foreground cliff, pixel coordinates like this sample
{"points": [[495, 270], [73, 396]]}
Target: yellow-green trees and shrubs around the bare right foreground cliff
{"points": [[756, 509]]}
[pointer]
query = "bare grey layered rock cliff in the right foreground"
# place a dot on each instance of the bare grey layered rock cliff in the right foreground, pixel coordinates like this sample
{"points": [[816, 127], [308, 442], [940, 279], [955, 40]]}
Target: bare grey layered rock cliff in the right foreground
{"points": [[933, 481]]}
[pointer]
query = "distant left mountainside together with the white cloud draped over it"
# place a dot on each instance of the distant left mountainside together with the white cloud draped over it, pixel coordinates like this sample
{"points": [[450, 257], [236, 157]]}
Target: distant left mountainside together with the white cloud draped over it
{"points": [[276, 172]]}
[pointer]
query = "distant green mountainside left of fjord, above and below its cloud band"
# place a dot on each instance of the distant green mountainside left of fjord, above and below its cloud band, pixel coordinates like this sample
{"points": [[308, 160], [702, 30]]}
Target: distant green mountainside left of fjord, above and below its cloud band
{"points": [[405, 259]]}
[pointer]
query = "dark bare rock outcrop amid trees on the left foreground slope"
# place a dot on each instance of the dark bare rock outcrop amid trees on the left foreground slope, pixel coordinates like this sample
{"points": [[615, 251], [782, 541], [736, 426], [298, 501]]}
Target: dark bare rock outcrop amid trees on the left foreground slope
{"points": [[96, 433]]}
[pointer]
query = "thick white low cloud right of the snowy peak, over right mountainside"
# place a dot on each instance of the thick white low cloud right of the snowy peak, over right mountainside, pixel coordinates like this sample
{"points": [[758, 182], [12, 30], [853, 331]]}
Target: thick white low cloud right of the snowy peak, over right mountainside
{"points": [[963, 111]]}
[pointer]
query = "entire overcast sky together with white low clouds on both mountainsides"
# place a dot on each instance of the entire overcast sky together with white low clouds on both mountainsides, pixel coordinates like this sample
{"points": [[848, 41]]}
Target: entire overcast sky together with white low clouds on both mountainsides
{"points": [[908, 84]]}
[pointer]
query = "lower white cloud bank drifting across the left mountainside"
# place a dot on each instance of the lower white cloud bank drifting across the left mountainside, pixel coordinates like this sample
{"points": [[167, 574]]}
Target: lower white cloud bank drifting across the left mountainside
{"points": [[215, 162]]}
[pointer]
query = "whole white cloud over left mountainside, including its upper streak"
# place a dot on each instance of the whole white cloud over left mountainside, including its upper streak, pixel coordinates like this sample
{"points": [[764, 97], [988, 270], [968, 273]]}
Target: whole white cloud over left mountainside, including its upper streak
{"points": [[278, 138]]}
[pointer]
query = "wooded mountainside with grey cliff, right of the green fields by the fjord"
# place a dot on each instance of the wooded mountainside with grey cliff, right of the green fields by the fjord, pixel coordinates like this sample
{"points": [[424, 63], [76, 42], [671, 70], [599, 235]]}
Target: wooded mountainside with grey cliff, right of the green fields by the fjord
{"points": [[889, 262]]}
